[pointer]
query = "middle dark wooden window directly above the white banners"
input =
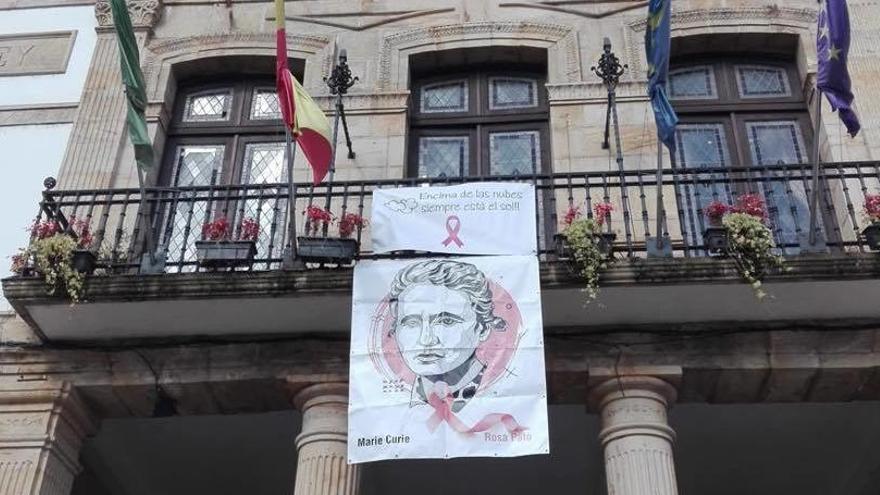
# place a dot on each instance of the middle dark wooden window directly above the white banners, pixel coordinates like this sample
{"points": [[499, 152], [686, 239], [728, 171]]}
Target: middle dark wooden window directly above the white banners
{"points": [[479, 123]]}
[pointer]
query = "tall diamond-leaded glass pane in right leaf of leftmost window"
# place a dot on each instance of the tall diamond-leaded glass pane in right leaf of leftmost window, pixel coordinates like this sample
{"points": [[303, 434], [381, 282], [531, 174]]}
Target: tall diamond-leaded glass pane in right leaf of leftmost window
{"points": [[264, 164]]}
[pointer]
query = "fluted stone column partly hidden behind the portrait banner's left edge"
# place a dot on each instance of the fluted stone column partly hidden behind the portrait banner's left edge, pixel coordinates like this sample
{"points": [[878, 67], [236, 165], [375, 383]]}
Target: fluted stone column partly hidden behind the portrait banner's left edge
{"points": [[322, 467]]}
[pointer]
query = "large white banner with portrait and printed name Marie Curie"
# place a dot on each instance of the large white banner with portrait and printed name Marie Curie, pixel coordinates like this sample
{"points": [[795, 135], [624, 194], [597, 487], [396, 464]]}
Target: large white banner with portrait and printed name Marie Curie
{"points": [[447, 359]]}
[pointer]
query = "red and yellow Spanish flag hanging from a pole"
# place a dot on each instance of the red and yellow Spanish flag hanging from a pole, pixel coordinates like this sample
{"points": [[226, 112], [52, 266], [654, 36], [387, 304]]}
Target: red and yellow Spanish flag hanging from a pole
{"points": [[299, 111]]}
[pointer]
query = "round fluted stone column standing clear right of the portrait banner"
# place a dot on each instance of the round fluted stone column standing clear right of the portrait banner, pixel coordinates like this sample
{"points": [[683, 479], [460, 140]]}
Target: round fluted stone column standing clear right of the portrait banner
{"points": [[635, 435]]}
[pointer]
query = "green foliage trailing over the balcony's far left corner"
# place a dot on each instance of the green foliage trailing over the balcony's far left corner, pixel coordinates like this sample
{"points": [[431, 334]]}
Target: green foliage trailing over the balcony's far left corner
{"points": [[53, 258]]}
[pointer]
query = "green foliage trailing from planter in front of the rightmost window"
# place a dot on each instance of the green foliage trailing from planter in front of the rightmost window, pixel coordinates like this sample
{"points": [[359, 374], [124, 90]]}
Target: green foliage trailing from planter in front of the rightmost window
{"points": [[750, 245]]}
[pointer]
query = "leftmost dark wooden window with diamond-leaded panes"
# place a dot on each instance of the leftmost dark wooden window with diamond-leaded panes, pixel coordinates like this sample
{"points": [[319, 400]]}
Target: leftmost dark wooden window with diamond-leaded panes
{"points": [[225, 134]]}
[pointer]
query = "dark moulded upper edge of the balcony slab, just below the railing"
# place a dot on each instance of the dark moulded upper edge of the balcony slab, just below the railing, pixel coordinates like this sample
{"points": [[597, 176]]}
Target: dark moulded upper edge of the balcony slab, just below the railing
{"points": [[554, 275]]}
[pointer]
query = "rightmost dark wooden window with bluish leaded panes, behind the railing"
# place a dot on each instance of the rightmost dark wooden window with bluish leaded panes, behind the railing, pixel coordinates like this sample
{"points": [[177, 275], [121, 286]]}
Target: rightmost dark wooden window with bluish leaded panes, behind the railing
{"points": [[735, 116]]}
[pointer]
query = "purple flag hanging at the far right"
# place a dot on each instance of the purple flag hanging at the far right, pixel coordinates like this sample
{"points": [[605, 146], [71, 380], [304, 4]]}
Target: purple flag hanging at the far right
{"points": [[832, 48]]}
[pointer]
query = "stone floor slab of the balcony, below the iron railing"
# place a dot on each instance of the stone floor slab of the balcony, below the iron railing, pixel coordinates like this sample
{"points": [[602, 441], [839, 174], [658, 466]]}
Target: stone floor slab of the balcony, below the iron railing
{"points": [[815, 290]]}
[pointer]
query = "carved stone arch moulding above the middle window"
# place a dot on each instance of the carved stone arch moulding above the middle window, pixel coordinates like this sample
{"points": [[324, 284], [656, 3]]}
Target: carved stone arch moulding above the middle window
{"points": [[560, 41]]}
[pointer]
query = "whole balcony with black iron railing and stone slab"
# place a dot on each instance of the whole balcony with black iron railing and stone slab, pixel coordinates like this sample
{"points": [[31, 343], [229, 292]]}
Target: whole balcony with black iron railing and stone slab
{"points": [[831, 280]]}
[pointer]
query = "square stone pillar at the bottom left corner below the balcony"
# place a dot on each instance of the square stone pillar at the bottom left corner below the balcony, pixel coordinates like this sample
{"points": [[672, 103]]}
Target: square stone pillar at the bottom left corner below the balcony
{"points": [[41, 432]]}
